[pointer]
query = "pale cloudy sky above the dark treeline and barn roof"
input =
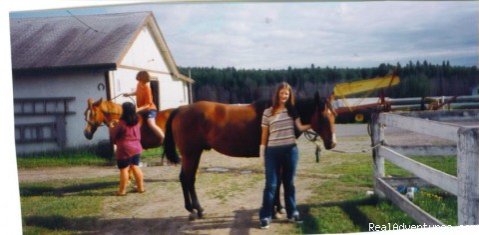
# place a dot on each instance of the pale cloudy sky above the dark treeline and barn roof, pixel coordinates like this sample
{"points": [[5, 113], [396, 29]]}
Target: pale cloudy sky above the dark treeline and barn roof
{"points": [[341, 34]]}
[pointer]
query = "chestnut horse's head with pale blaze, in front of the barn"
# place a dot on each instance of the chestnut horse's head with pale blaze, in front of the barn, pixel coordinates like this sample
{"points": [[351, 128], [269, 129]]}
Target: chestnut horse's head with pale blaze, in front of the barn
{"points": [[98, 113]]}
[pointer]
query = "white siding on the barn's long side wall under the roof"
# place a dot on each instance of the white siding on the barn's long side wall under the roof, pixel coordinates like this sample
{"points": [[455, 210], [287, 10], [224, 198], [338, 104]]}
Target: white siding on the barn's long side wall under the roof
{"points": [[81, 85]]}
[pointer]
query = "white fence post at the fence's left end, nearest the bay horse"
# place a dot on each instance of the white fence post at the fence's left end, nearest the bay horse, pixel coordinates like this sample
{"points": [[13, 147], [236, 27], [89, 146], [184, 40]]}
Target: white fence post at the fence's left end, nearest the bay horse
{"points": [[377, 137]]}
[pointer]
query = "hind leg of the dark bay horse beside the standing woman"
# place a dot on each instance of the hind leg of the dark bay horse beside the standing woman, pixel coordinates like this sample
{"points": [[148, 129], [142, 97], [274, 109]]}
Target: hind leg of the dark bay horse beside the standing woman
{"points": [[189, 167]]}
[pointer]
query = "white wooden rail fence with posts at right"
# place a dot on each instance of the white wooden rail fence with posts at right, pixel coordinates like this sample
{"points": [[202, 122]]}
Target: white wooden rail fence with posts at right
{"points": [[465, 185]]}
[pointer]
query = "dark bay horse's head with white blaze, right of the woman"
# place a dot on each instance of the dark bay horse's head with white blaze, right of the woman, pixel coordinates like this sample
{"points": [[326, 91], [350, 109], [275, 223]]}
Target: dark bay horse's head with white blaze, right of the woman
{"points": [[322, 121]]}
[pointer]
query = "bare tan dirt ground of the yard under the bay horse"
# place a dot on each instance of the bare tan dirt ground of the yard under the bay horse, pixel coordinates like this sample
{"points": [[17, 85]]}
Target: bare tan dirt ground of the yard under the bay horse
{"points": [[229, 210]]}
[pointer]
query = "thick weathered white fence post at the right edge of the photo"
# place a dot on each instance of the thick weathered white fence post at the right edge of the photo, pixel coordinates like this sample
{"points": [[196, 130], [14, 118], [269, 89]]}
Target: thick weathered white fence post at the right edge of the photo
{"points": [[468, 176]]}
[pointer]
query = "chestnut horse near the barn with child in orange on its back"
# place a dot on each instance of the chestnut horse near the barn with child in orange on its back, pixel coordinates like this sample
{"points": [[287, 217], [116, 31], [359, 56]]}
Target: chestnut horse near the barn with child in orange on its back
{"points": [[108, 113]]}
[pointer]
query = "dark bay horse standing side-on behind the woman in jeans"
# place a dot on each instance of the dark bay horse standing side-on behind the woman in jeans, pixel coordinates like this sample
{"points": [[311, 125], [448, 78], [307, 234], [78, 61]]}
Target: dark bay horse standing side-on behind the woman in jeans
{"points": [[233, 130]]}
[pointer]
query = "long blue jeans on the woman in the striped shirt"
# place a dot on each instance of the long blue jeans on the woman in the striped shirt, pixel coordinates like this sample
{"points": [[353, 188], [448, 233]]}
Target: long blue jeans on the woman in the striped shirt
{"points": [[285, 157]]}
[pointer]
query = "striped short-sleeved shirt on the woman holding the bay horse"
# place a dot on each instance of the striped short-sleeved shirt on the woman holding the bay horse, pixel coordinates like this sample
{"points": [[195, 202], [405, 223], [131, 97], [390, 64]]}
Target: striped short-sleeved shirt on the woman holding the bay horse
{"points": [[281, 128]]}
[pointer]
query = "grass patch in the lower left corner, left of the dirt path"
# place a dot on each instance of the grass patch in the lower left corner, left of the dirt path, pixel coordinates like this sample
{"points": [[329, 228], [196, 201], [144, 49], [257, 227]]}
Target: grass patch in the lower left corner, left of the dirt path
{"points": [[64, 206]]}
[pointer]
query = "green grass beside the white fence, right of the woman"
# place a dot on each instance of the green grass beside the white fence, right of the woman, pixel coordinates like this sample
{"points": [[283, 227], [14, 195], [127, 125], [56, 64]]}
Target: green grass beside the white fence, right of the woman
{"points": [[339, 203]]}
